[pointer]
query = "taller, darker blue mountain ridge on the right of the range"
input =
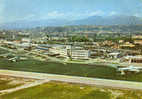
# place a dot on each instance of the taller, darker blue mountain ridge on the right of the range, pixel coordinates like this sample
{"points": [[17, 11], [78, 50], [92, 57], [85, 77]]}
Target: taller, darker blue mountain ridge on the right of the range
{"points": [[110, 20]]}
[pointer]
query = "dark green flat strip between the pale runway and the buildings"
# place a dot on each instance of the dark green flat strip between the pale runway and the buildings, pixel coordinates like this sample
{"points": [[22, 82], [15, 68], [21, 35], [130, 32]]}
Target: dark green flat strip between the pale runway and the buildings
{"points": [[68, 69]]}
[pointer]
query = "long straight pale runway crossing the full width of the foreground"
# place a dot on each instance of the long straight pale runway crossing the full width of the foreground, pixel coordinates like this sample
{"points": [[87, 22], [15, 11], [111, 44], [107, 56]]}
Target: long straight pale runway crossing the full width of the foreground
{"points": [[75, 79]]}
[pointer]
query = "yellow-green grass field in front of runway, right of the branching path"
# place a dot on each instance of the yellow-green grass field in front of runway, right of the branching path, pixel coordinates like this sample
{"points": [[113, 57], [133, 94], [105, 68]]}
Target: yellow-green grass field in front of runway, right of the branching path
{"points": [[58, 90]]}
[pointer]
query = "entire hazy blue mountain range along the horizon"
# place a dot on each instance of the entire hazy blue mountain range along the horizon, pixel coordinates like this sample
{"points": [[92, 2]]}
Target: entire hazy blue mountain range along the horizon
{"points": [[93, 20]]}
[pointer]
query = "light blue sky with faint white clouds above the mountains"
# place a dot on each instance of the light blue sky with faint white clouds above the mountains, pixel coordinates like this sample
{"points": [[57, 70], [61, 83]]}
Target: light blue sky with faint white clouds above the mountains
{"points": [[16, 10]]}
